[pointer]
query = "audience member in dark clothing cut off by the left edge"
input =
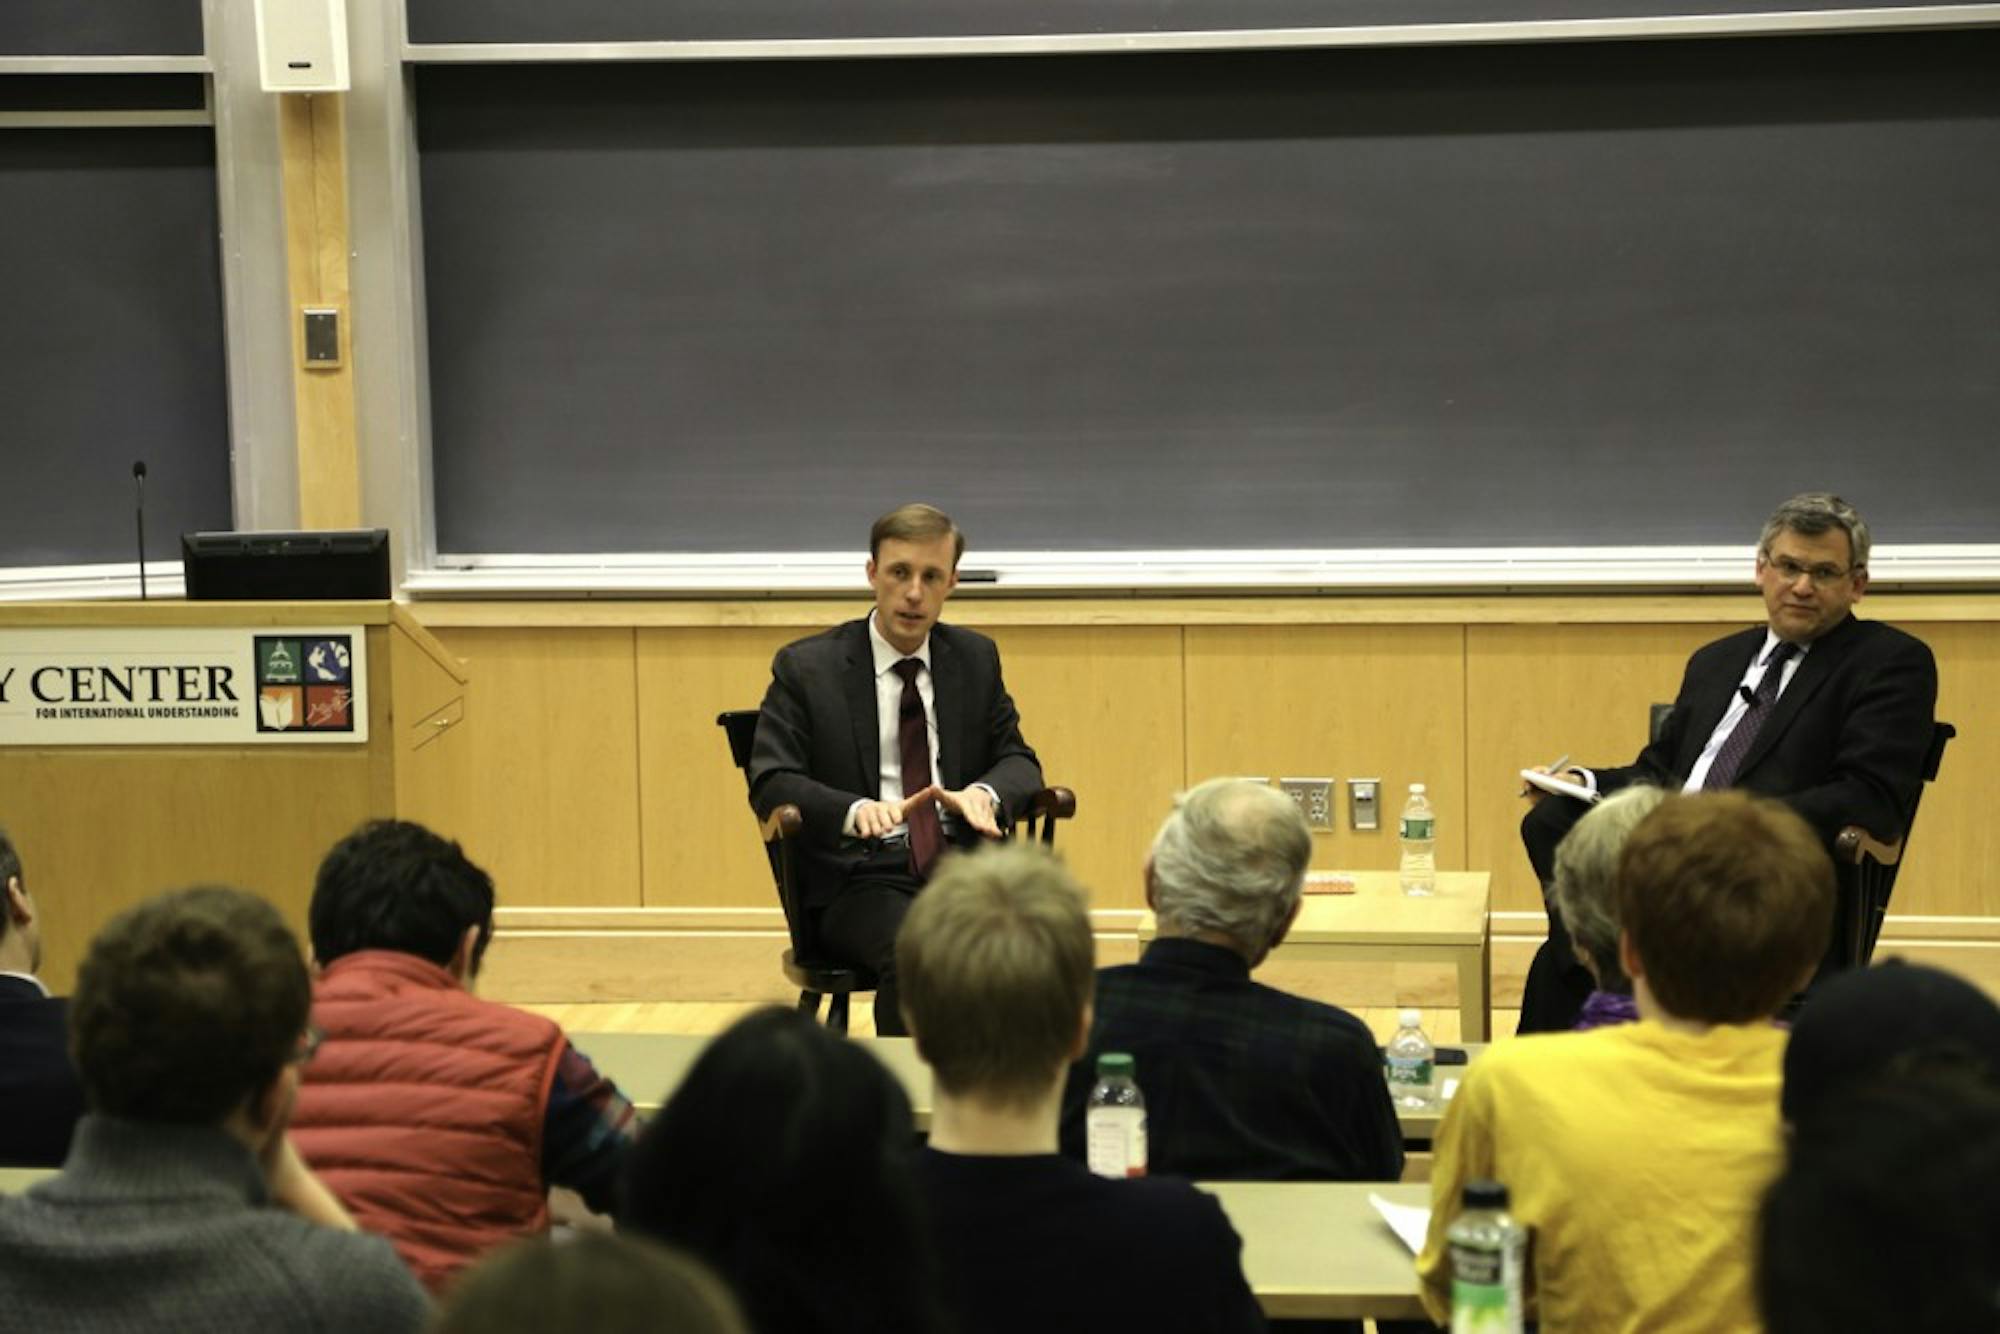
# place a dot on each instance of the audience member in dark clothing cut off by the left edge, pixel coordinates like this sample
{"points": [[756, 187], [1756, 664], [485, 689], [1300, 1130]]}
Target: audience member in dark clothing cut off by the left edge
{"points": [[39, 1091]]}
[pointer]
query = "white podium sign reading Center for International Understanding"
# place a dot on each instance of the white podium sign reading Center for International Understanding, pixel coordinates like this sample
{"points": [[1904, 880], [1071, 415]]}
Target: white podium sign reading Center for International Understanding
{"points": [[179, 687]]}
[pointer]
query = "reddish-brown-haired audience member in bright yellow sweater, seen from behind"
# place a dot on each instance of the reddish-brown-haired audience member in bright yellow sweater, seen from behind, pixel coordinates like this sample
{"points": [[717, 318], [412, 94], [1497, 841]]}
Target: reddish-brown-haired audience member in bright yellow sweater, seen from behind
{"points": [[1639, 1153]]}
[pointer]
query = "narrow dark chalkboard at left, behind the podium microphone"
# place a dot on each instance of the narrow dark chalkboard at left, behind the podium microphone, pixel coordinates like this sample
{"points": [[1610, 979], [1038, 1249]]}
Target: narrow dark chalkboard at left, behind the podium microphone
{"points": [[111, 345]]}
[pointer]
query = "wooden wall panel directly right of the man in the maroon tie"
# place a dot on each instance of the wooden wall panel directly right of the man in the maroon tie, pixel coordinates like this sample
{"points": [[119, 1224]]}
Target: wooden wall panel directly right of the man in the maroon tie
{"points": [[1103, 709]]}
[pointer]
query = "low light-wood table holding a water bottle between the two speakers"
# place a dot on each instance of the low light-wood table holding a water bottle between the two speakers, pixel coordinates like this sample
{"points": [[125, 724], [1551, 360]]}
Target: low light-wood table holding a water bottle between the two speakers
{"points": [[1381, 925]]}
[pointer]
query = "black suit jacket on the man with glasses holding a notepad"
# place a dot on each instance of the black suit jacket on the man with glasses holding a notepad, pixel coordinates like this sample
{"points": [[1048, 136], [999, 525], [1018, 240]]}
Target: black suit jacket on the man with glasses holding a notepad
{"points": [[1845, 743]]}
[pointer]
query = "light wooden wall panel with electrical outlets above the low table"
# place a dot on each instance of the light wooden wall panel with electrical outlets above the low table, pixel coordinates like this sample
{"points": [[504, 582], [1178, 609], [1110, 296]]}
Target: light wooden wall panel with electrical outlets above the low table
{"points": [[1337, 701]]}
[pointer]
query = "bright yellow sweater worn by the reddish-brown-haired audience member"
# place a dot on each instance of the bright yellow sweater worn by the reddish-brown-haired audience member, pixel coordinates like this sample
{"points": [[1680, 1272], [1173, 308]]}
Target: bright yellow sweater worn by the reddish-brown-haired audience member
{"points": [[1637, 1157]]}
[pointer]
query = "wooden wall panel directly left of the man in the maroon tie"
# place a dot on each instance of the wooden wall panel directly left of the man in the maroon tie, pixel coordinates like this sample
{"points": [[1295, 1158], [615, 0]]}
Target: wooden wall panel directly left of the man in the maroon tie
{"points": [[699, 837]]}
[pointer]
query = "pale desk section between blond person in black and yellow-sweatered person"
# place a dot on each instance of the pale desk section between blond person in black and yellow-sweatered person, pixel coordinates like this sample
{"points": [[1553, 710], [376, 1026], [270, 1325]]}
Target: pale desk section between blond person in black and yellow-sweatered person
{"points": [[1321, 1251]]}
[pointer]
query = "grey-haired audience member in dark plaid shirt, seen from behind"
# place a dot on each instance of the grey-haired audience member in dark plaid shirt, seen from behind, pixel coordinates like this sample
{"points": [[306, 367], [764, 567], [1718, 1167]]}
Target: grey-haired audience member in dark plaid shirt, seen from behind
{"points": [[1241, 1081]]}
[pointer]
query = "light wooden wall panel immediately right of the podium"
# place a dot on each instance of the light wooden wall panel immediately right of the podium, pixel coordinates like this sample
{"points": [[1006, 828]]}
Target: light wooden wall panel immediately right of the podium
{"points": [[551, 747]]}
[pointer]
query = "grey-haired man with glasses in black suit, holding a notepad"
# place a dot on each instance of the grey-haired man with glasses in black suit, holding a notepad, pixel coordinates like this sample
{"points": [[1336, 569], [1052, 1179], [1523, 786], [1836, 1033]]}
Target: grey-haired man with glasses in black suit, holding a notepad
{"points": [[1823, 711]]}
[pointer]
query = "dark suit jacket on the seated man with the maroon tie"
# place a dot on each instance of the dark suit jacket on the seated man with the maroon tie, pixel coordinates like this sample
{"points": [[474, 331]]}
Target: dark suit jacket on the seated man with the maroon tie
{"points": [[819, 739]]}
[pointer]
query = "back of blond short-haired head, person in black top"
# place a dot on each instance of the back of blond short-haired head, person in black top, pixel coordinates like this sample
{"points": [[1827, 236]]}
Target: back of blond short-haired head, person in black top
{"points": [[997, 971]]}
